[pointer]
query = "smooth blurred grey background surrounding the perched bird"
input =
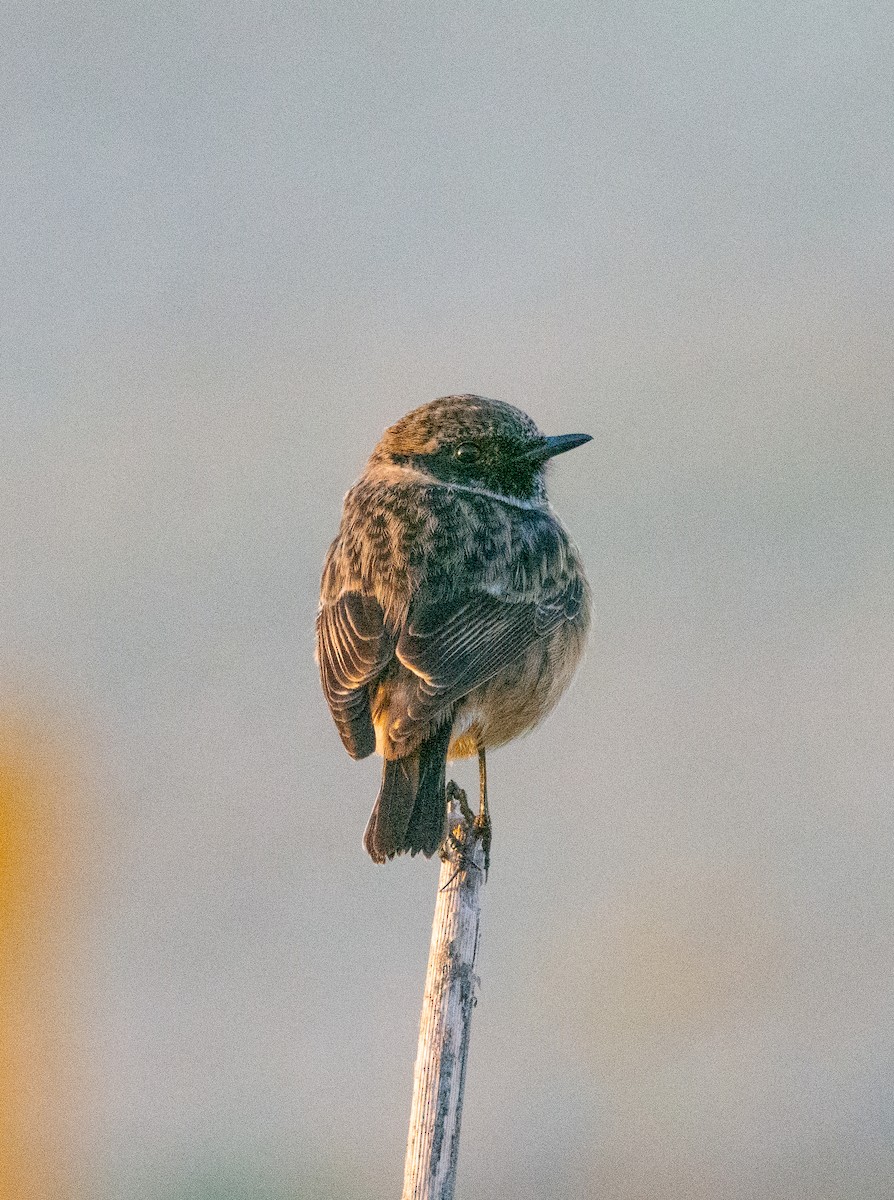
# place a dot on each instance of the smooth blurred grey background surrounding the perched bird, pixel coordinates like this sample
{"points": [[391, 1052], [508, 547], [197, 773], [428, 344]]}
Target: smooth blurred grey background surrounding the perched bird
{"points": [[239, 241]]}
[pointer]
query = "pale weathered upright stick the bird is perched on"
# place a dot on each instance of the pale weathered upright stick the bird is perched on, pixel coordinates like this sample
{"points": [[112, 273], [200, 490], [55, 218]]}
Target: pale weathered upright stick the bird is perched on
{"points": [[451, 985]]}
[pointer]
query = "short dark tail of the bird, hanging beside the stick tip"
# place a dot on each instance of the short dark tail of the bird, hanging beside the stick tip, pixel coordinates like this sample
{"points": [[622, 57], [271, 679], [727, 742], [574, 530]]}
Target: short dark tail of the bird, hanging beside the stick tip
{"points": [[411, 808]]}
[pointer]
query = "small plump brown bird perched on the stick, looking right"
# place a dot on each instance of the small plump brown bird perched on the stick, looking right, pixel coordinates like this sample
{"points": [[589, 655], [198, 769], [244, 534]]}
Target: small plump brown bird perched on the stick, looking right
{"points": [[453, 610]]}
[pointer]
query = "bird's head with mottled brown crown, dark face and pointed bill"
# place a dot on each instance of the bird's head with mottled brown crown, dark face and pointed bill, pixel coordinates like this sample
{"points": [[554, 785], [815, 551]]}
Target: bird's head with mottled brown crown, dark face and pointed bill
{"points": [[475, 442]]}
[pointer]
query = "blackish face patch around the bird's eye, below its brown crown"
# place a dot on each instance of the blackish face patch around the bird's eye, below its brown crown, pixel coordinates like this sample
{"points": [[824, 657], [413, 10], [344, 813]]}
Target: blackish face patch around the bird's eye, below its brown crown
{"points": [[496, 464]]}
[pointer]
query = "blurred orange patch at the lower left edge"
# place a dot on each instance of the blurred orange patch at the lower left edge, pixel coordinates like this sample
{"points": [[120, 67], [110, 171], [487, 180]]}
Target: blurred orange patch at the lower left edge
{"points": [[39, 902]]}
